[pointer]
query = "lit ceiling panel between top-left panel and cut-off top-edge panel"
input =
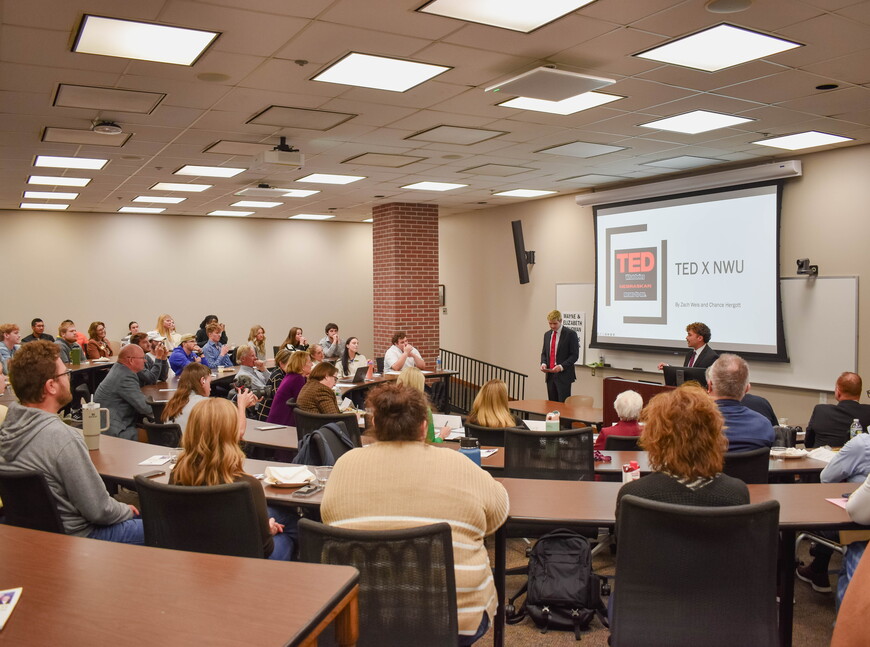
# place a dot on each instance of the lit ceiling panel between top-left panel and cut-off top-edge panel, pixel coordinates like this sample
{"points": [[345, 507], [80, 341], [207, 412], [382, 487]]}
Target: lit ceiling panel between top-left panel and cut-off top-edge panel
{"points": [[379, 72]]}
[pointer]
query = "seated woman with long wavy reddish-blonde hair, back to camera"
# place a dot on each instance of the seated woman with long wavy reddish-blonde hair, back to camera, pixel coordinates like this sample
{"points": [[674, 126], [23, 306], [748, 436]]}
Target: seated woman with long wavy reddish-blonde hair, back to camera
{"points": [[211, 456]]}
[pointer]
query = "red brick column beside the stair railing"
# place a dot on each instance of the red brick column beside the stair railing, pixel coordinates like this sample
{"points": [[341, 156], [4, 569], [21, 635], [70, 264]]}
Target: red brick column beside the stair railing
{"points": [[405, 281]]}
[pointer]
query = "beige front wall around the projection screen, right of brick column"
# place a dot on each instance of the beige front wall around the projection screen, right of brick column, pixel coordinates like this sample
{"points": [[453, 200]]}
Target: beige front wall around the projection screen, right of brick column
{"points": [[825, 216]]}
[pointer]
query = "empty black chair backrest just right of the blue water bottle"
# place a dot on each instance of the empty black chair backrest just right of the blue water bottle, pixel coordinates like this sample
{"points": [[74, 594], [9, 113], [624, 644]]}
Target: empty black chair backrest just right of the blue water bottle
{"points": [[565, 455]]}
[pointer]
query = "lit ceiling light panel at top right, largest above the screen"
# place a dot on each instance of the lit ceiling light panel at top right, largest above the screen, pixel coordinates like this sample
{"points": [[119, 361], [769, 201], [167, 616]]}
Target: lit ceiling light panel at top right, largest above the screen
{"points": [[717, 48]]}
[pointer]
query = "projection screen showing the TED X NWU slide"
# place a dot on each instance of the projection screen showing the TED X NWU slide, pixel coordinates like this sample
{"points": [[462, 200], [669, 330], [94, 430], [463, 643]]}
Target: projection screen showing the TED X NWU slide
{"points": [[662, 264]]}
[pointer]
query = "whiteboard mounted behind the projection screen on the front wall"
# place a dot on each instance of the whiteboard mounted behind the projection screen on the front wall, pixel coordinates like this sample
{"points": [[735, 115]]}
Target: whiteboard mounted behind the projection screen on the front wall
{"points": [[820, 320]]}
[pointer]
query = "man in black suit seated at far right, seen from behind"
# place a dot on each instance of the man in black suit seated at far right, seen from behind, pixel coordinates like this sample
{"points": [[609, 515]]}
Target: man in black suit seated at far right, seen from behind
{"points": [[829, 424]]}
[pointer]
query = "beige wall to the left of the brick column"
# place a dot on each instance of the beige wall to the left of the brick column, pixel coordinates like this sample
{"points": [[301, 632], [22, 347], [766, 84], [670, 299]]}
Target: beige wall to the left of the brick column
{"points": [[119, 267]]}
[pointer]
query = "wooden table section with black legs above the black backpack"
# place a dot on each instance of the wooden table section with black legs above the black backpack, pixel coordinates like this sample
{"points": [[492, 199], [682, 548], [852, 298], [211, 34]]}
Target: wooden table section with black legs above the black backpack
{"points": [[802, 506]]}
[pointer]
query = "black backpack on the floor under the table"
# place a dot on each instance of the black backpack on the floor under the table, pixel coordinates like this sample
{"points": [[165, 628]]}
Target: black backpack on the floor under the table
{"points": [[563, 592]]}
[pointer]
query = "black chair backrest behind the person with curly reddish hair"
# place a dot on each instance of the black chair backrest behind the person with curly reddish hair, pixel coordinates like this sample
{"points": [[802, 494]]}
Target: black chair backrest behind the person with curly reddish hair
{"points": [[692, 575]]}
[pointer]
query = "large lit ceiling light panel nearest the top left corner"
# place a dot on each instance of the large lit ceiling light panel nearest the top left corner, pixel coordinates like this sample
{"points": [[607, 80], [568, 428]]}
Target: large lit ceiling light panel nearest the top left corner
{"points": [[141, 41]]}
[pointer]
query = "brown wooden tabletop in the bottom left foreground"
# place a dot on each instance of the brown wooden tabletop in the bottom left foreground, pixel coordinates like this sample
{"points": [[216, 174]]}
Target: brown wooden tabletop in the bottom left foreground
{"points": [[83, 592]]}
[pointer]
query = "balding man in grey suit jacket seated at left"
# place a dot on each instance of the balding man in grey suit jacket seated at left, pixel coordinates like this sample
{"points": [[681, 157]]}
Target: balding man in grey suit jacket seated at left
{"points": [[120, 393]]}
